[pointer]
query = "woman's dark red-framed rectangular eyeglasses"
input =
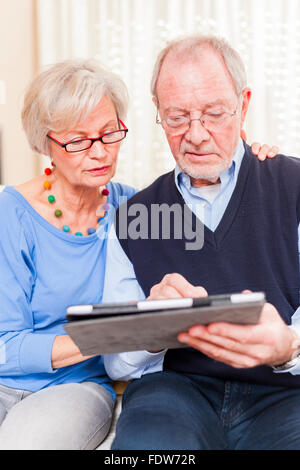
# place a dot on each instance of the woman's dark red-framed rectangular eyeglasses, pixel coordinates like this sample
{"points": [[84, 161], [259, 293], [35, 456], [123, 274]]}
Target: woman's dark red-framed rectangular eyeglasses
{"points": [[85, 144]]}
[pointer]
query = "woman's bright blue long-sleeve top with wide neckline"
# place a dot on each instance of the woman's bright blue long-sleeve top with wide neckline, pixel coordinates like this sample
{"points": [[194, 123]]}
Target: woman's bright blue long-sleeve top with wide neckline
{"points": [[43, 270]]}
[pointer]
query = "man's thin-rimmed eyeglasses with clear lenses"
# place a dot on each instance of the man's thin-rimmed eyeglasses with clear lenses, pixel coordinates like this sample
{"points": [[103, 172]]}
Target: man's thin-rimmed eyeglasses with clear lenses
{"points": [[180, 124]]}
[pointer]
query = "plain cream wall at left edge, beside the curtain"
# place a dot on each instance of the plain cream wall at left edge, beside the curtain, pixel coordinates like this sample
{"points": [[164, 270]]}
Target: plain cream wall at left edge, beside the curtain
{"points": [[17, 67]]}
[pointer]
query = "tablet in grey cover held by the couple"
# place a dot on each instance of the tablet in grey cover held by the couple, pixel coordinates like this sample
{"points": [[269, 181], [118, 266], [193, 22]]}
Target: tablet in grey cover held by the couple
{"points": [[154, 324]]}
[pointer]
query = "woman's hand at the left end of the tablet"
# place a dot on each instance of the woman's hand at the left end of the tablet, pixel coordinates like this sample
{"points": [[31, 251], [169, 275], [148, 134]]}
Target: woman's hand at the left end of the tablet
{"points": [[65, 353]]}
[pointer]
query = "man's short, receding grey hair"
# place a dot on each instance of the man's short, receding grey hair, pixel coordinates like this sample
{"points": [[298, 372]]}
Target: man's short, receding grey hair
{"points": [[188, 47]]}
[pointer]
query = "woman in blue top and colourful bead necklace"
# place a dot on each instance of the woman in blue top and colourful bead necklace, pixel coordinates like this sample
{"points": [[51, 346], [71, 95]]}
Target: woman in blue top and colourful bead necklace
{"points": [[52, 255]]}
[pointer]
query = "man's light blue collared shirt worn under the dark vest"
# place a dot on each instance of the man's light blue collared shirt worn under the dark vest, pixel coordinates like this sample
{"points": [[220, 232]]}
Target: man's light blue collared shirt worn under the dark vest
{"points": [[121, 284]]}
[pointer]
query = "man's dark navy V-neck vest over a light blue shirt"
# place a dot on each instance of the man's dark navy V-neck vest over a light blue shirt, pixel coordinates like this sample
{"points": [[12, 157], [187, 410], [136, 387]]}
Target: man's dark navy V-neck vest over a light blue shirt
{"points": [[254, 247]]}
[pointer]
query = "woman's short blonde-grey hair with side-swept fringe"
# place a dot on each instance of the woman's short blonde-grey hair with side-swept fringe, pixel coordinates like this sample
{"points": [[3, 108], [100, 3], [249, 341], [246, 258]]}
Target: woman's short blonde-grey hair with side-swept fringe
{"points": [[66, 93]]}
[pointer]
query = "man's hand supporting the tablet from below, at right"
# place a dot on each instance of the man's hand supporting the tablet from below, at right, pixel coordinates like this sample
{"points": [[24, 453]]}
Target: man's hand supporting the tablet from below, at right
{"points": [[269, 342]]}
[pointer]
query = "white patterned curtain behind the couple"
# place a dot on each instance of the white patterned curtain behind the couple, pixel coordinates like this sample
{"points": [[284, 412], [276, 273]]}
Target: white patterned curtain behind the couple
{"points": [[126, 35]]}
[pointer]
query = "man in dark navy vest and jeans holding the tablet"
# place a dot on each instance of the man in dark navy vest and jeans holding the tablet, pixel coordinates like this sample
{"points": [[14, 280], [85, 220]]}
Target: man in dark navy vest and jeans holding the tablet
{"points": [[233, 387]]}
